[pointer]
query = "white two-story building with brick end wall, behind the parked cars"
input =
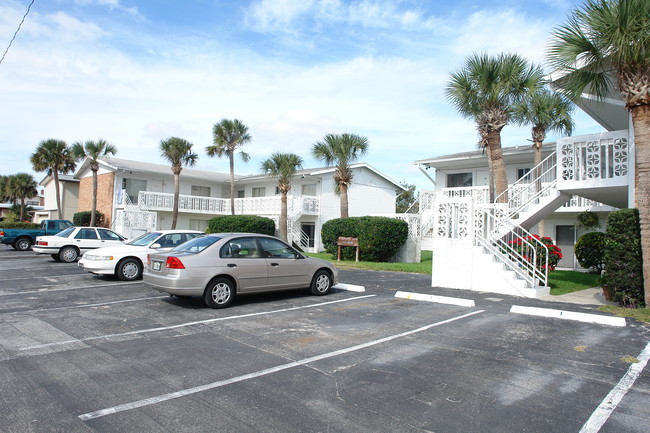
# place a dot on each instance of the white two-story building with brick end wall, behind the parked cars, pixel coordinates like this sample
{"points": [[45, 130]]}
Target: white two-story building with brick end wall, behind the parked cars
{"points": [[137, 196]]}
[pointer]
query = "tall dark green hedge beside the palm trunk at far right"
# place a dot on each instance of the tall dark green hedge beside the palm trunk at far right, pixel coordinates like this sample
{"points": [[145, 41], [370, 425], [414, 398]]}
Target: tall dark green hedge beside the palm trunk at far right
{"points": [[622, 258]]}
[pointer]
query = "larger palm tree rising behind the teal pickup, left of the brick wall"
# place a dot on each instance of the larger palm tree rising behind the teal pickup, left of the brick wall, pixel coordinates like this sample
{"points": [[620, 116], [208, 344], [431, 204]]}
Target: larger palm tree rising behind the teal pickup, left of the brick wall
{"points": [[53, 156]]}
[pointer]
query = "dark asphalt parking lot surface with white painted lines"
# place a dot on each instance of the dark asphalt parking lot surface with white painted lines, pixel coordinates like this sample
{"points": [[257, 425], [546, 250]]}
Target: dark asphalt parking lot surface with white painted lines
{"points": [[81, 353]]}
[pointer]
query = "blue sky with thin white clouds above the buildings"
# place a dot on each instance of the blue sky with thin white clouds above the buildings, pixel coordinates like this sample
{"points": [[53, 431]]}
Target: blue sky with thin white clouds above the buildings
{"points": [[137, 72]]}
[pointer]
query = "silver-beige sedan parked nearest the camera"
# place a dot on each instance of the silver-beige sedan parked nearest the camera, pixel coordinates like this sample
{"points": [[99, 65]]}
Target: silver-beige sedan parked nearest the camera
{"points": [[219, 266]]}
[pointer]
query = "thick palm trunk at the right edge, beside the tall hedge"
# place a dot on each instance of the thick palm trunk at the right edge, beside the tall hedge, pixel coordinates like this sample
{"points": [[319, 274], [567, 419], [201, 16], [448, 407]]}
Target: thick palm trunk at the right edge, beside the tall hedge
{"points": [[641, 122]]}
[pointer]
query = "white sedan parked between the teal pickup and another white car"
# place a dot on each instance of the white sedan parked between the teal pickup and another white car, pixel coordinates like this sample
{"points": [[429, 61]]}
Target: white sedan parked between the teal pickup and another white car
{"points": [[71, 243]]}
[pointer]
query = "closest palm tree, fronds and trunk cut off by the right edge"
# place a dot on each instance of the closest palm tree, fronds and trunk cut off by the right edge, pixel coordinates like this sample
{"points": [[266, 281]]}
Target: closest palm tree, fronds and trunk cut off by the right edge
{"points": [[605, 39]]}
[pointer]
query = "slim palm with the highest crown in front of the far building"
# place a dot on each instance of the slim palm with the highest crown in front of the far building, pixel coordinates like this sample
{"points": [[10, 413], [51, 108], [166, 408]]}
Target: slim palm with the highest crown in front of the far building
{"points": [[228, 136]]}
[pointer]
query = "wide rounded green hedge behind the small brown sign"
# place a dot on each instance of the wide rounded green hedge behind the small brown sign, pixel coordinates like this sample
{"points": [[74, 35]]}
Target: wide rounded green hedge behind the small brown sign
{"points": [[380, 238]]}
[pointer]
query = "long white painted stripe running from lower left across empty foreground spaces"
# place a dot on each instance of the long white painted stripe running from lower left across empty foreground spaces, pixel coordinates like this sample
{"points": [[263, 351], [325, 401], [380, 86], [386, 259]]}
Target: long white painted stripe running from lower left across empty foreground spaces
{"points": [[220, 383]]}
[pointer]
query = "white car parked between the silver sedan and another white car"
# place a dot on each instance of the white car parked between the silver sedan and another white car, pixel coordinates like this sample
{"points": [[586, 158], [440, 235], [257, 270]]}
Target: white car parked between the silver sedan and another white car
{"points": [[126, 261]]}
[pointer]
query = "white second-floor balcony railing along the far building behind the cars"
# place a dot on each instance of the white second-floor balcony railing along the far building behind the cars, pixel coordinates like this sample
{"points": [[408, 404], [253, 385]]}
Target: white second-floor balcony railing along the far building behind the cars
{"points": [[263, 206]]}
